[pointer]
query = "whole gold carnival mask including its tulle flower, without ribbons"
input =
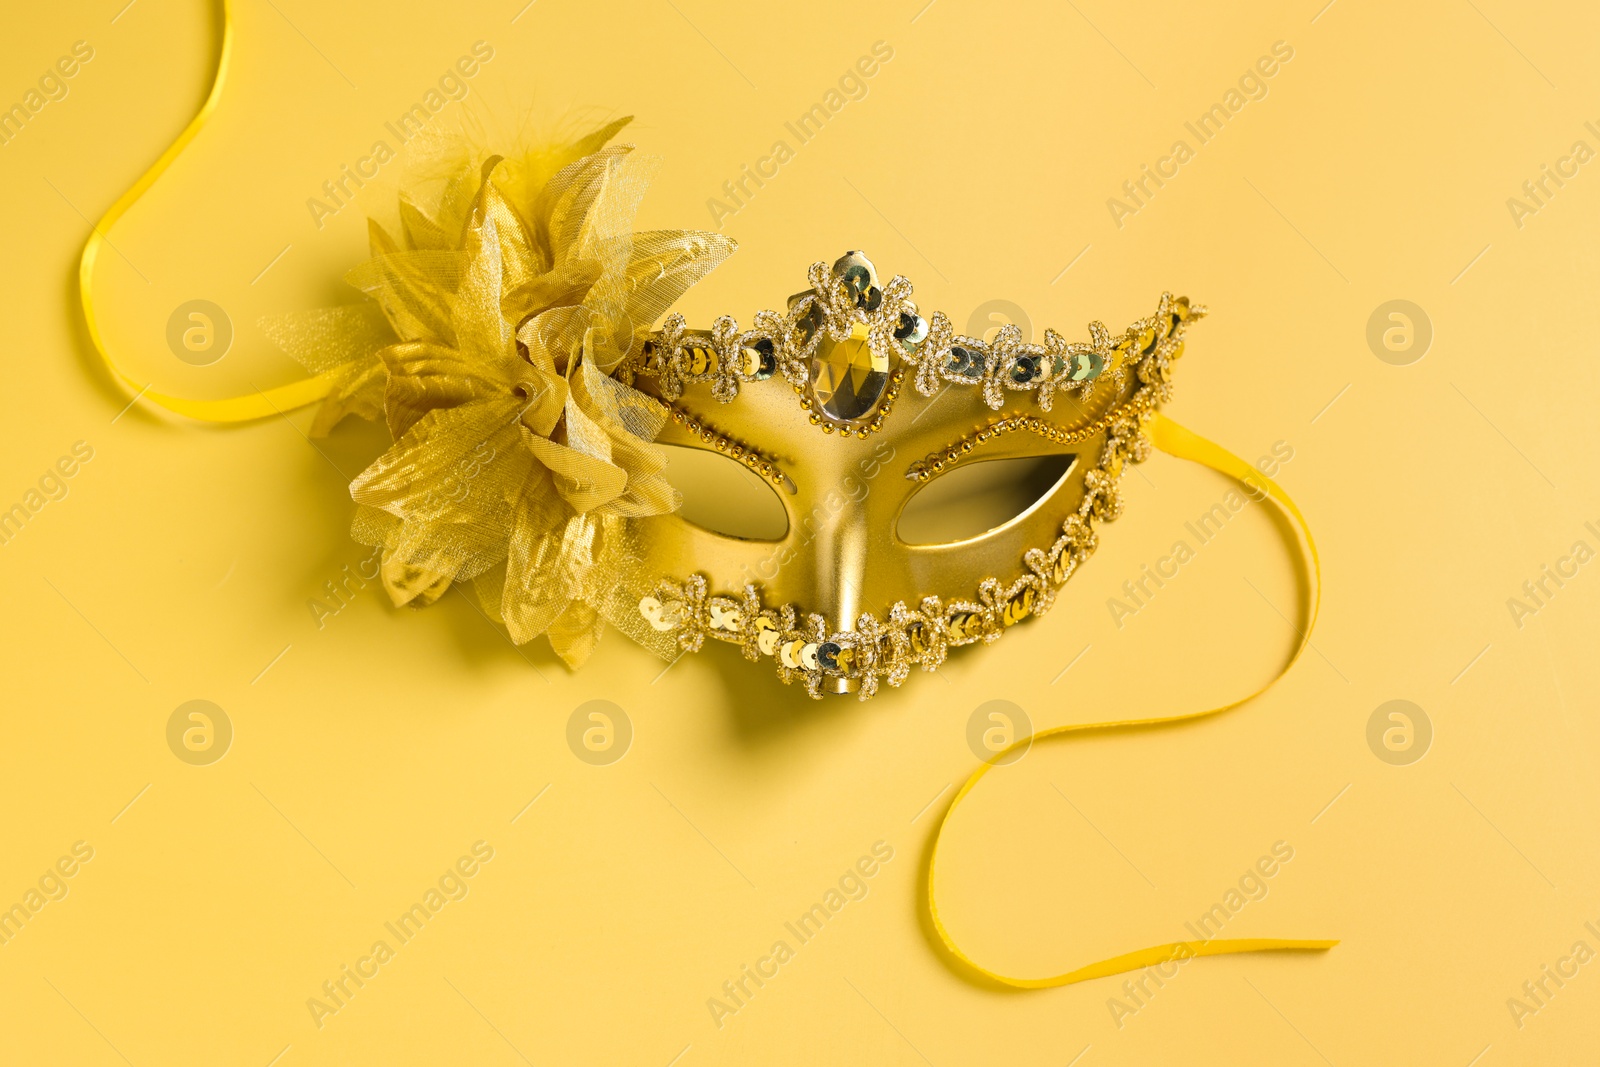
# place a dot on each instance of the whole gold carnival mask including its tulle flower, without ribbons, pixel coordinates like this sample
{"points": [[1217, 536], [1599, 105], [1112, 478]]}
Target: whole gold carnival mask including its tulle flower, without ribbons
{"points": [[508, 348]]}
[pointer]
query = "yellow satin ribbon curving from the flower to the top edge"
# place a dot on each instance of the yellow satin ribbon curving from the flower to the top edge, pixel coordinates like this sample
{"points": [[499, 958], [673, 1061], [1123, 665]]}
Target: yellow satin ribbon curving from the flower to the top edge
{"points": [[228, 410]]}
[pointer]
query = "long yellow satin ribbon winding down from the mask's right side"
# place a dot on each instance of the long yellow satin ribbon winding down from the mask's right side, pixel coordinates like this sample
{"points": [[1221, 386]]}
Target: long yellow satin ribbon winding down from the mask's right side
{"points": [[1174, 441]]}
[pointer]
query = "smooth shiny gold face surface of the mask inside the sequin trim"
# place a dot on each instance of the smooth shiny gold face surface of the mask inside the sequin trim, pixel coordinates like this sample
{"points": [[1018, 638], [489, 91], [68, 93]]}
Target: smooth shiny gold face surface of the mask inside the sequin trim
{"points": [[842, 554]]}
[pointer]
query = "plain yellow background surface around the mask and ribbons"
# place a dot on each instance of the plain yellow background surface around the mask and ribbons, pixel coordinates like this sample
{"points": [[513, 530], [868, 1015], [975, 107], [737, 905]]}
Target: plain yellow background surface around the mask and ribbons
{"points": [[370, 754]]}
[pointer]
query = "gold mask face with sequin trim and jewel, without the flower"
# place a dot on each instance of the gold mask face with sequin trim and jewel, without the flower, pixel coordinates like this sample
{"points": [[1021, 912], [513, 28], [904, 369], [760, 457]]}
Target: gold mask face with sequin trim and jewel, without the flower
{"points": [[855, 404]]}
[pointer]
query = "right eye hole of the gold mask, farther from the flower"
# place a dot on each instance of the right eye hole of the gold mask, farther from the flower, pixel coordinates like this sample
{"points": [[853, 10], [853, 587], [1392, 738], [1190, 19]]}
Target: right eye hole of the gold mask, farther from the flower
{"points": [[977, 498]]}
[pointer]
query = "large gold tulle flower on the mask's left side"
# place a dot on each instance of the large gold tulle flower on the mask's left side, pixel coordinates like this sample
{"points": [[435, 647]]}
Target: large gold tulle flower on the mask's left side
{"points": [[497, 324]]}
